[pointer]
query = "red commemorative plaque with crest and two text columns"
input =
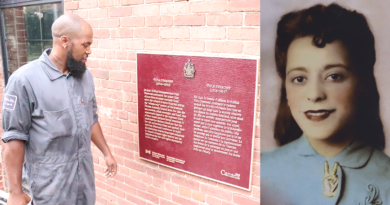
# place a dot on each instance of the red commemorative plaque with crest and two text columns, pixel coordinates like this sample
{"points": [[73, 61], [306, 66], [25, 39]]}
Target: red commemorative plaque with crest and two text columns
{"points": [[197, 114]]}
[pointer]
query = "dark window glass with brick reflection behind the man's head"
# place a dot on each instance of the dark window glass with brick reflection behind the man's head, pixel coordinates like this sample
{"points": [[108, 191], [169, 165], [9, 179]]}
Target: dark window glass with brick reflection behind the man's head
{"points": [[28, 32]]}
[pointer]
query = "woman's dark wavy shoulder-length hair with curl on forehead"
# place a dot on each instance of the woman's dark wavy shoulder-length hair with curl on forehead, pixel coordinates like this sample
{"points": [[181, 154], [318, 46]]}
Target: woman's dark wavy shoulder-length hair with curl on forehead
{"points": [[326, 24]]}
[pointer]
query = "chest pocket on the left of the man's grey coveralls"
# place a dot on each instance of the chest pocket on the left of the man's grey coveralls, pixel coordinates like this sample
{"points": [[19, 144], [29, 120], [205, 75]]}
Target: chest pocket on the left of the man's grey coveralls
{"points": [[58, 123]]}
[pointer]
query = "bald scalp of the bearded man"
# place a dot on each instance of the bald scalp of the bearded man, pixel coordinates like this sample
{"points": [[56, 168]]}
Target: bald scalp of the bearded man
{"points": [[68, 25]]}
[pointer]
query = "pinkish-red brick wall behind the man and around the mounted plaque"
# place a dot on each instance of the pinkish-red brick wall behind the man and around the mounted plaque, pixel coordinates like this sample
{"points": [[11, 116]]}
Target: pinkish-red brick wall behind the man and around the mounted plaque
{"points": [[121, 29]]}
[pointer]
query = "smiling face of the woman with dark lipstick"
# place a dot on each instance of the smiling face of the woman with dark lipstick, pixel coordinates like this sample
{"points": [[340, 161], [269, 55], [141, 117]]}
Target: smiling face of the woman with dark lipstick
{"points": [[321, 87]]}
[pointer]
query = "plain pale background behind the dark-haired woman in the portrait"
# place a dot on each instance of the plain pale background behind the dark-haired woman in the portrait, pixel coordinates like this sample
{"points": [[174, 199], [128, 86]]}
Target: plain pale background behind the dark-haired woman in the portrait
{"points": [[378, 17]]}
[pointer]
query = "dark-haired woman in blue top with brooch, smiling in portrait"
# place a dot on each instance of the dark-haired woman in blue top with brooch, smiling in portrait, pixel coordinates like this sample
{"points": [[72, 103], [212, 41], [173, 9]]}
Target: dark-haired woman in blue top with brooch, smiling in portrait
{"points": [[328, 123]]}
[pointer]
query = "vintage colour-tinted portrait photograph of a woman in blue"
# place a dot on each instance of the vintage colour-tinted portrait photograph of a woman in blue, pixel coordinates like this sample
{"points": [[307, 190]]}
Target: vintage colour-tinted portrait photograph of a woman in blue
{"points": [[325, 97]]}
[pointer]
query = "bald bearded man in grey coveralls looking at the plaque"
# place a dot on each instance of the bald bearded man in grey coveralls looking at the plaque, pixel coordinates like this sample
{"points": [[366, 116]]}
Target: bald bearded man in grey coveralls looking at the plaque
{"points": [[49, 119]]}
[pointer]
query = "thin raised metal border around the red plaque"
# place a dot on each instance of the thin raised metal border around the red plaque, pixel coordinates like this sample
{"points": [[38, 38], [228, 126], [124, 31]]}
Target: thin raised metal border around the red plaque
{"points": [[257, 94]]}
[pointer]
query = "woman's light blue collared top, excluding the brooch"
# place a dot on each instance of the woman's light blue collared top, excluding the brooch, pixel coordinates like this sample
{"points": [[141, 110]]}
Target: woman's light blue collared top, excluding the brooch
{"points": [[293, 174]]}
